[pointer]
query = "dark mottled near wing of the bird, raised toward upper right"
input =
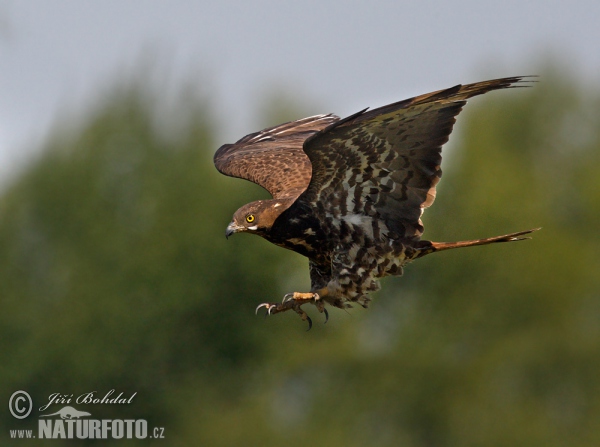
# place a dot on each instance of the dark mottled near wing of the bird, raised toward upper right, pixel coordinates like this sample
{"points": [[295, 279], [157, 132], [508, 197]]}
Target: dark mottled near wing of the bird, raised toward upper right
{"points": [[385, 163]]}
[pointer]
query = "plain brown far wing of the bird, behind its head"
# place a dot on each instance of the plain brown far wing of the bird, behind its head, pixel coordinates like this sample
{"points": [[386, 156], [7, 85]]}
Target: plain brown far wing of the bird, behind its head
{"points": [[273, 158]]}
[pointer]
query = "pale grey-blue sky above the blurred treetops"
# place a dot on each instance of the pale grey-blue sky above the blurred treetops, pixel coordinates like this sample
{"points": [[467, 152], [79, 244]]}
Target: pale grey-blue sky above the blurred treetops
{"points": [[341, 56]]}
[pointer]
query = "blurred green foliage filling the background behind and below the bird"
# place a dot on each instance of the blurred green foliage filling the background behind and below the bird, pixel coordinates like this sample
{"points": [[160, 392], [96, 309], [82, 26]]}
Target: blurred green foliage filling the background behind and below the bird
{"points": [[114, 273]]}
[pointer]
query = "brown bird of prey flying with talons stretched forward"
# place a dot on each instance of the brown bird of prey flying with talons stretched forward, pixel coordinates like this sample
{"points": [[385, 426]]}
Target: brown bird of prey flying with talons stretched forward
{"points": [[349, 193]]}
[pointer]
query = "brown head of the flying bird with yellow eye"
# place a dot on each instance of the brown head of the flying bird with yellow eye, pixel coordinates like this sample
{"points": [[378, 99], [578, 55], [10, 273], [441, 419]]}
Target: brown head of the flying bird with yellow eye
{"points": [[256, 217]]}
